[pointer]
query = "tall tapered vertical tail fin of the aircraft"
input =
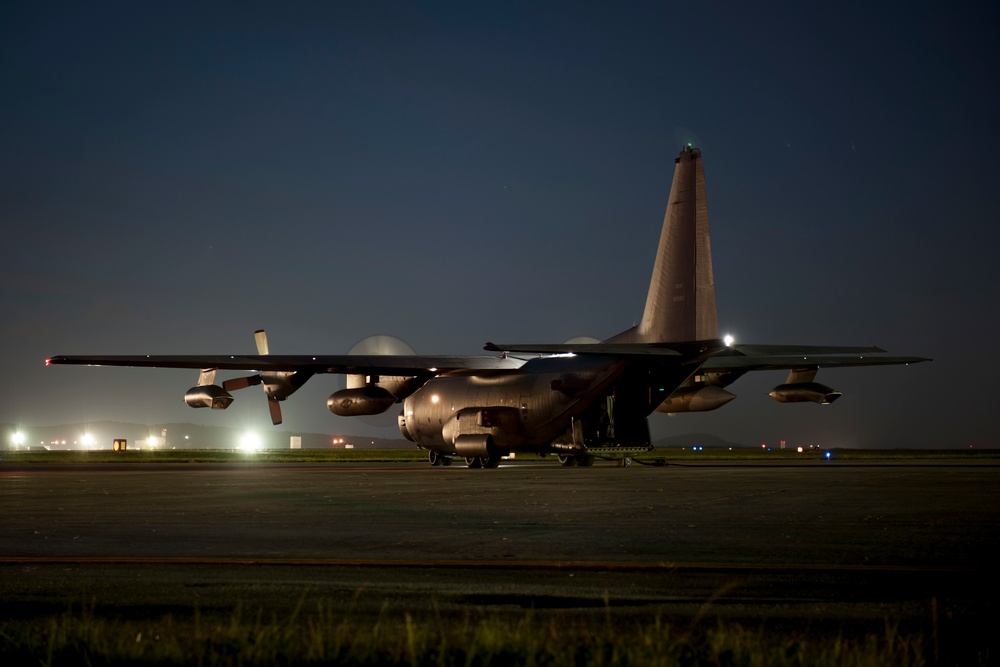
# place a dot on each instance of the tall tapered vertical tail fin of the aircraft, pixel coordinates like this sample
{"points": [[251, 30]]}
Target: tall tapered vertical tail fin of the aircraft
{"points": [[680, 305]]}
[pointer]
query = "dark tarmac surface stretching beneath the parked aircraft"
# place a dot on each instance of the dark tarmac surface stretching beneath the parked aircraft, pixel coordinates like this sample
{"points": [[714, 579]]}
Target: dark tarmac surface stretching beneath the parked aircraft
{"points": [[817, 546]]}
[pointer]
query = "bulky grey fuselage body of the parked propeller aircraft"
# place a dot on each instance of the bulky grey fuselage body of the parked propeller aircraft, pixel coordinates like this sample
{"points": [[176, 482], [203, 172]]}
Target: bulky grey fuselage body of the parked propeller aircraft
{"points": [[563, 404]]}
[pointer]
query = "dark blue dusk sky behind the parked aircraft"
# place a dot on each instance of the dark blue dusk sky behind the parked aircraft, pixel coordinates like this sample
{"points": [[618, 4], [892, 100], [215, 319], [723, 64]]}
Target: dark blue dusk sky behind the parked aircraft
{"points": [[175, 175]]}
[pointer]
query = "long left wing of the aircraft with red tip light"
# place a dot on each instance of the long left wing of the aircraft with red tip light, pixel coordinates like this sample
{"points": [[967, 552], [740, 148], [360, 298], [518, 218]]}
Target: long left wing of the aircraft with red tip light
{"points": [[350, 364]]}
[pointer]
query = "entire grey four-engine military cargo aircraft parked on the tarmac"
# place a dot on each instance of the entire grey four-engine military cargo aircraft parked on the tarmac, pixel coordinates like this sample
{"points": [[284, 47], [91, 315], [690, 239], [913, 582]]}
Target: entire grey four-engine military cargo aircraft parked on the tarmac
{"points": [[576, 400]]}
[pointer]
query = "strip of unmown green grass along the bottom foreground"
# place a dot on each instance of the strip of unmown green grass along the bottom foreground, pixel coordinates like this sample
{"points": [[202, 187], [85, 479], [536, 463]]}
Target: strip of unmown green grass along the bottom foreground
{"points": [[517, 638]]}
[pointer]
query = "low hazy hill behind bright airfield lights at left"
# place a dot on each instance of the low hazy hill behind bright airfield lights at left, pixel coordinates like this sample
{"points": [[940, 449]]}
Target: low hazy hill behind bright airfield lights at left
{"points": [[184, 436]]}
